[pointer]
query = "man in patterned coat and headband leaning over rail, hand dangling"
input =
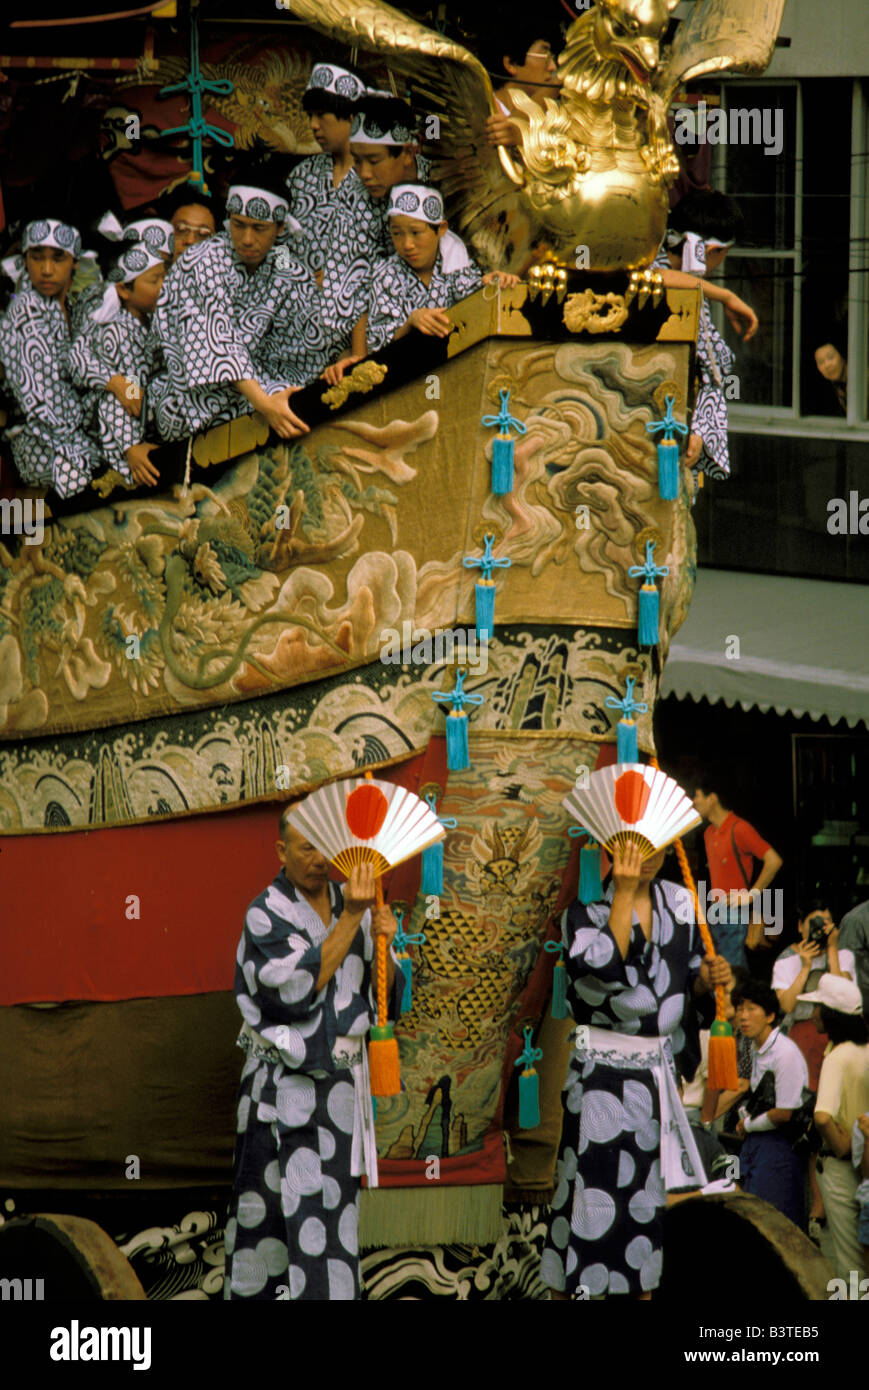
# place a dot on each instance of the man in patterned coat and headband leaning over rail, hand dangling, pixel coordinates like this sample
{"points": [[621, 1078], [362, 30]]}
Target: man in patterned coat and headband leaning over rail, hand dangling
{"points": [[240, 325]]}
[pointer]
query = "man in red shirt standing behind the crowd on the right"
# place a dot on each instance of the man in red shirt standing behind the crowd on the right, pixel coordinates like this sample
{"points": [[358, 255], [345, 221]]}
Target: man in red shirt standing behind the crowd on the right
{"points": [[732, 850]]}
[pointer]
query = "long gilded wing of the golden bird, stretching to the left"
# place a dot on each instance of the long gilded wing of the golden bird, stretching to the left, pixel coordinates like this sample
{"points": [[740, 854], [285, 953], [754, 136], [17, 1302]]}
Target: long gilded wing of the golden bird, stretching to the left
{"points": [[453, 85]]}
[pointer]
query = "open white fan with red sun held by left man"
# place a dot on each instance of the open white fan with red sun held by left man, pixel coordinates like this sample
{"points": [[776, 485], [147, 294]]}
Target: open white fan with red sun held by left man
{"points": [[366, 822]]}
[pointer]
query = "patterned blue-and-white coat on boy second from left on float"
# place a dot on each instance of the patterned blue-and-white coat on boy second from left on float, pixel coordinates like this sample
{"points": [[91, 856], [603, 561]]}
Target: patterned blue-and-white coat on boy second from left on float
{"points": [[99, 354]]}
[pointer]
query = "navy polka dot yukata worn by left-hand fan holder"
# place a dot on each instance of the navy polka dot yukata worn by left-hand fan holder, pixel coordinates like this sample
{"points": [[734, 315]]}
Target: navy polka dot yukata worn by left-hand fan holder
{"points": [[294, 1218]]}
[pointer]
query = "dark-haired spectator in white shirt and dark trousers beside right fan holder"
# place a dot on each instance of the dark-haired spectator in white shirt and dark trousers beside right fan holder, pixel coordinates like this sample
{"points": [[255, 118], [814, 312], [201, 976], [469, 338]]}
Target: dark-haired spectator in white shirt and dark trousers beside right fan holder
{"points": [[779, 1075]]}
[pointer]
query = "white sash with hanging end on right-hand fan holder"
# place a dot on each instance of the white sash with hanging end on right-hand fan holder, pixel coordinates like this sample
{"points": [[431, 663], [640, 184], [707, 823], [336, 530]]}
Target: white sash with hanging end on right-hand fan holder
{"points": [[676, 1138]]}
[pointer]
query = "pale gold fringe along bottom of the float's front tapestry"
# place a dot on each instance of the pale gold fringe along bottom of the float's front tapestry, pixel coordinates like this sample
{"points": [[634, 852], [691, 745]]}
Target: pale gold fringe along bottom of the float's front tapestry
{"points": [[430, 1216]]}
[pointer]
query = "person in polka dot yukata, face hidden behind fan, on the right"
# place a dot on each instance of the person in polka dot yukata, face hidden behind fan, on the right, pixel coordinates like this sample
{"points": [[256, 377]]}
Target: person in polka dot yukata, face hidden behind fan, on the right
{"points": [[636, 972]]}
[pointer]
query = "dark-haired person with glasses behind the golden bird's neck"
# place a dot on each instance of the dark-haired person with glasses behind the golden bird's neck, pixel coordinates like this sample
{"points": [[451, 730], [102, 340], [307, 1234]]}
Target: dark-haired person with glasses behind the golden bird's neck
{"points": [[526, 51]]}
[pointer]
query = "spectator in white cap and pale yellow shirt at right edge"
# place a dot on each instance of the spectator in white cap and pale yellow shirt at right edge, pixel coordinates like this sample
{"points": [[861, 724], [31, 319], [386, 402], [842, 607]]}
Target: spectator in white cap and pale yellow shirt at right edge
{"points": [[843, 1096]]}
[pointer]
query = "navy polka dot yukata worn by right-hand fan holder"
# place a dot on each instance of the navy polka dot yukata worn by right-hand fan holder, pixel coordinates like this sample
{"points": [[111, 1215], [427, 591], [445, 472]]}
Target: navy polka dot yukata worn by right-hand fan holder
{"points": [[607, 1214]]}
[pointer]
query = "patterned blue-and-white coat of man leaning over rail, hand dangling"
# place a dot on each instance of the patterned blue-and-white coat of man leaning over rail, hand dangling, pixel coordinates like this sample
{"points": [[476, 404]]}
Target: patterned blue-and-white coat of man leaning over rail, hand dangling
{"points": [[218, 323]]}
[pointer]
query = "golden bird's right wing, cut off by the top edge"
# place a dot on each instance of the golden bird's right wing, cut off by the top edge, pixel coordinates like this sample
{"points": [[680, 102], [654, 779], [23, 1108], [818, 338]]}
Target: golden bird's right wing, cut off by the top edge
{"points": [[720, 35]]}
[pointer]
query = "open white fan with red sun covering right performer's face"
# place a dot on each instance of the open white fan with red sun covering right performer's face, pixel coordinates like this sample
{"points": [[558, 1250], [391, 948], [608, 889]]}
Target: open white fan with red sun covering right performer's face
{"points": [[633, 803]]}
